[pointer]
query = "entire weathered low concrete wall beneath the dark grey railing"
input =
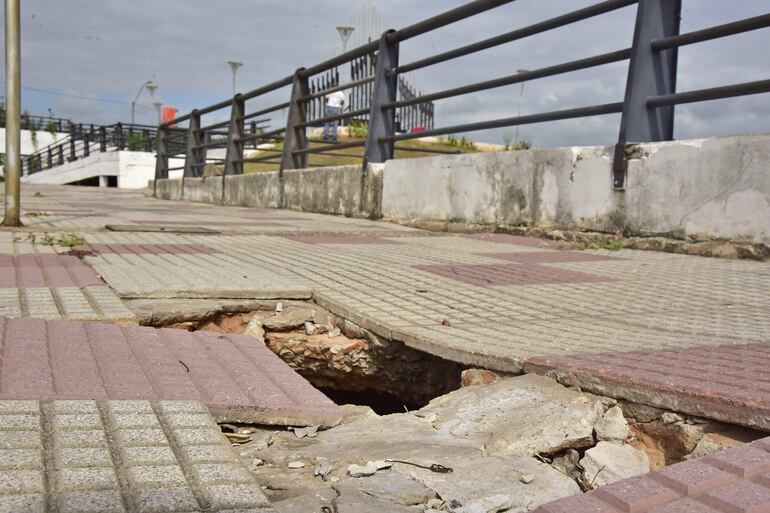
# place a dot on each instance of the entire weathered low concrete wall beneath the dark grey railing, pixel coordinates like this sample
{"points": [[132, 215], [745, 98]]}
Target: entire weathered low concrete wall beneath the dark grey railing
{"points": [[718, 187]]}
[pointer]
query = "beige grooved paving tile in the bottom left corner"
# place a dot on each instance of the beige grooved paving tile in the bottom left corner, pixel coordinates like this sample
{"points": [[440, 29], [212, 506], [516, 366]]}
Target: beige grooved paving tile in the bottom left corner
{"points": [[119, 456]]}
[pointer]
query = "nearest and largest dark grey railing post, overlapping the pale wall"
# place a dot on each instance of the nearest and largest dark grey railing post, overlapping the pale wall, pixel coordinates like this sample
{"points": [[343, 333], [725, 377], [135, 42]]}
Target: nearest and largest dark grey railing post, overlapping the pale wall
{"points": [[650, 73]]}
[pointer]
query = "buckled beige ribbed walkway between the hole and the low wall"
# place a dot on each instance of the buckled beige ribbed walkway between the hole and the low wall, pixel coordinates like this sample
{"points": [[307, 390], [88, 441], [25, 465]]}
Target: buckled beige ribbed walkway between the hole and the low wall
{"points": [[499, 301]]}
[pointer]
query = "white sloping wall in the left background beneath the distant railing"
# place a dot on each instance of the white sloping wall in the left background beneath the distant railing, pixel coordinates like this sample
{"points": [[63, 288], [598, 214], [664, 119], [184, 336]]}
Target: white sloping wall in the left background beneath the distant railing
{"points": [[133, 169]]}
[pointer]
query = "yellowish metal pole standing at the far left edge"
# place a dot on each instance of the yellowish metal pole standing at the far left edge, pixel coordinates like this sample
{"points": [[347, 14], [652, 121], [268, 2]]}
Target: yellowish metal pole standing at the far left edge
{"points": [[12, 114]]}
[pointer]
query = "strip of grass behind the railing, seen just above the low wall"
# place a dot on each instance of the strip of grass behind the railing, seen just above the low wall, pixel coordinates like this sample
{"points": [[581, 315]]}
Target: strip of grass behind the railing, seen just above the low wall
{"points": [[356, 155]]}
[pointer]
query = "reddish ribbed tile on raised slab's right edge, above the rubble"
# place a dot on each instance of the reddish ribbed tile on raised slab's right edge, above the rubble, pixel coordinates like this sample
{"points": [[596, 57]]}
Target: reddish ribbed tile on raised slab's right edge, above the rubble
{"points": [[728, 383]]}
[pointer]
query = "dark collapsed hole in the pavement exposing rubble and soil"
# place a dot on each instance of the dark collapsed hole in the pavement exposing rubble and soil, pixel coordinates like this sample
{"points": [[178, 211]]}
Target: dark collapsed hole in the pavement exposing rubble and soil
{"points": [[349, 364]]}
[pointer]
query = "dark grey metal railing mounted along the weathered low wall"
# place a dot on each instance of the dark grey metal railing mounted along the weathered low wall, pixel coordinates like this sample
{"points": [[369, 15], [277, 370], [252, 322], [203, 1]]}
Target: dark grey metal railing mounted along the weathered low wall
{"points": [[647, 109]]}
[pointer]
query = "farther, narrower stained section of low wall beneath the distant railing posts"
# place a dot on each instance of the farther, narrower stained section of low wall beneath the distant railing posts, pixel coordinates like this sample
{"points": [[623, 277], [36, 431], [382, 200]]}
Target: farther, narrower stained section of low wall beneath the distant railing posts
{"points": [[333, 190]]}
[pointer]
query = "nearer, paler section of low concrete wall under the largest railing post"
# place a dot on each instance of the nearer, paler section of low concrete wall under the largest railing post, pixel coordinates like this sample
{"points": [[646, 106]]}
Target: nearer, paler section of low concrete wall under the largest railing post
{"points": [[718, 187]]}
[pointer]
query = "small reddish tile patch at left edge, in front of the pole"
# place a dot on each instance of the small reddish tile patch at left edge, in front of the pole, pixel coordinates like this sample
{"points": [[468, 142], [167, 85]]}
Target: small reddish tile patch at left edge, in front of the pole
{"points": [[45, 270]]}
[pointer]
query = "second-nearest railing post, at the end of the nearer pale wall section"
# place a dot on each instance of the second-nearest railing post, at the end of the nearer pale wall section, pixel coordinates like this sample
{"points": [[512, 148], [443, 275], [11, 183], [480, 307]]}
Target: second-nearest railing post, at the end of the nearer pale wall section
{"points": [[382, 123]]}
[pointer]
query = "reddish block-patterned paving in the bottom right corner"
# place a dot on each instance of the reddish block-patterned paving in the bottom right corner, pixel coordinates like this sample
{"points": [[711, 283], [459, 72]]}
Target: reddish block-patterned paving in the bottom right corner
{"points": [[733, 481]]}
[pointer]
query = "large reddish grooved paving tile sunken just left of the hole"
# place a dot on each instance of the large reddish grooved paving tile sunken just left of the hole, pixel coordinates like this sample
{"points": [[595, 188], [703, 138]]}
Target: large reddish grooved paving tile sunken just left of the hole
{"points": [[238, 378]]}
